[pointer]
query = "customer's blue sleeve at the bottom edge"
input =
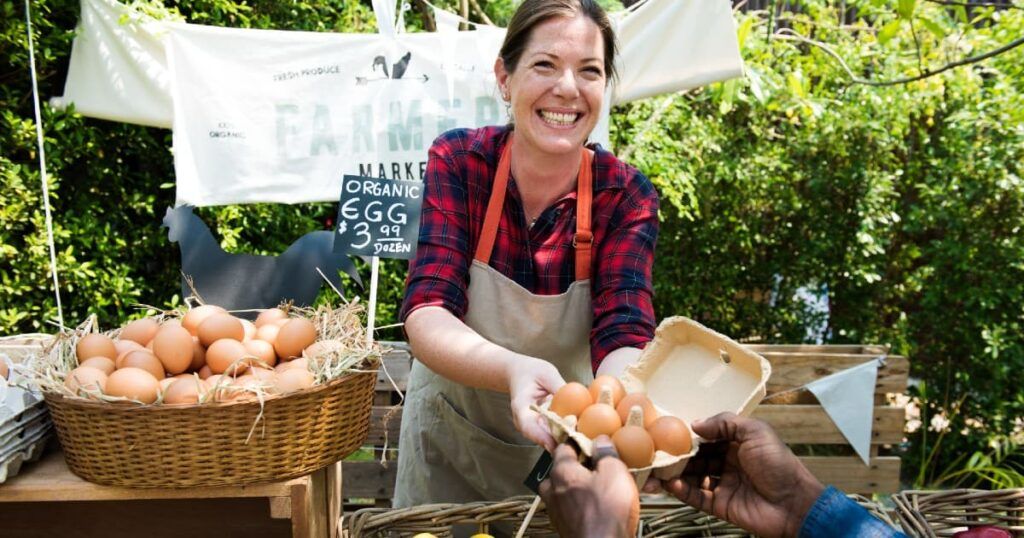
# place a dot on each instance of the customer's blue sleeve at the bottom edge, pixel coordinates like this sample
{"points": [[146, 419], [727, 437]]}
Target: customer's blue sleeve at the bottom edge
{"points": [[835, 515]]}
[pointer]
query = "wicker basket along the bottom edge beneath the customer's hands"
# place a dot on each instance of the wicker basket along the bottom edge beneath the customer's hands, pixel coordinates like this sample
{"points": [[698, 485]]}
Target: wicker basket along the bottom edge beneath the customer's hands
{"points": [[657, 520]]}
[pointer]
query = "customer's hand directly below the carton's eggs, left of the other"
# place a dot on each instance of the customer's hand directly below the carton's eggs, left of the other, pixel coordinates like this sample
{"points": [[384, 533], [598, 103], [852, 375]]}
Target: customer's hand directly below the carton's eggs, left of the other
{"points": [[581, 503]]}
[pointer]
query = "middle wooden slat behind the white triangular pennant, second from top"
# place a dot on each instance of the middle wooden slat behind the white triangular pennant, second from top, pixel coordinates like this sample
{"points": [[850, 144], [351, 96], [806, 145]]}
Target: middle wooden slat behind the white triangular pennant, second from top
{"points": [[810, 425]]}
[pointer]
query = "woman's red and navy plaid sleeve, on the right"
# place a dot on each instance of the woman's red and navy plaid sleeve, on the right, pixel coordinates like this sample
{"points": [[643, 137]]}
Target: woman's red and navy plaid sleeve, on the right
{"points": [[623, 296]]}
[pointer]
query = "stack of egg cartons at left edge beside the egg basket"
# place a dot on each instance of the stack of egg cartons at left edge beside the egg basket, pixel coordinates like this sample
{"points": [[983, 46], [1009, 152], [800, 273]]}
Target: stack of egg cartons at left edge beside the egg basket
{"points": [[25, 422]]}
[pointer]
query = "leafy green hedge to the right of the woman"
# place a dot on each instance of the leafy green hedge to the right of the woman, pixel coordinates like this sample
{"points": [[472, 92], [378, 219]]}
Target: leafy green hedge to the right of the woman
{"points": [[904, 203]]}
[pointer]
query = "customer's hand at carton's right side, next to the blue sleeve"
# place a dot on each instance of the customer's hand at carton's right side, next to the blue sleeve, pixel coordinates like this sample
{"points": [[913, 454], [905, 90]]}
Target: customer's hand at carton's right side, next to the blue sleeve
{"points": [[745, 475]]}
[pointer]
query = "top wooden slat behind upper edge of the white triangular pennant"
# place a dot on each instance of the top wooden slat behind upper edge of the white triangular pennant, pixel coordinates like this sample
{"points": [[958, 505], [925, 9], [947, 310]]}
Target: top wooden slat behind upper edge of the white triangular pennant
{"points": [[793, 370]]}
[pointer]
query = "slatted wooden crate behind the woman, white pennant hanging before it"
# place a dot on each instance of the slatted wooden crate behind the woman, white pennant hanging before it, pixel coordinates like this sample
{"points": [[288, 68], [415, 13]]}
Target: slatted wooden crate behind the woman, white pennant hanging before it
{"points": [[797, 417]]}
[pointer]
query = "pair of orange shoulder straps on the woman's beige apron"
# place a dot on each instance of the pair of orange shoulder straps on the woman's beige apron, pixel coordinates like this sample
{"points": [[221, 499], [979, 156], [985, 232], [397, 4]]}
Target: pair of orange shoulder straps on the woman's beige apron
{"points": [[584, 237]]}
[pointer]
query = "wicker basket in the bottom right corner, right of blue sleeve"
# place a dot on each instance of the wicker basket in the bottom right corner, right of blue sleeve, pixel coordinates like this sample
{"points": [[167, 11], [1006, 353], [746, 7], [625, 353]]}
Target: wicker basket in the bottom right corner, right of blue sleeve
{"points": [[934, 514]]}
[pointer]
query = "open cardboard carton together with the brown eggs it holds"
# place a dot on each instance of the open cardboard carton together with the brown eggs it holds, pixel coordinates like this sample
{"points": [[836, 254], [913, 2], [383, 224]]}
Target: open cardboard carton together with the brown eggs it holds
{"points": [[649, 410]]}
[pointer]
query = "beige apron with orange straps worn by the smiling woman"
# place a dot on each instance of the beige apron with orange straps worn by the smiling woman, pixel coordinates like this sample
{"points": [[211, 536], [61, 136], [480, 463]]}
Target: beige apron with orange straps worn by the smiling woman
{"points": [[459, 444]]}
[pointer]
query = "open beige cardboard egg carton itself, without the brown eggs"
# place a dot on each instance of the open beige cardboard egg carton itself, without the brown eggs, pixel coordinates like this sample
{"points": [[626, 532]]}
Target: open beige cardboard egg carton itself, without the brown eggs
{"points": [[688, 371]]}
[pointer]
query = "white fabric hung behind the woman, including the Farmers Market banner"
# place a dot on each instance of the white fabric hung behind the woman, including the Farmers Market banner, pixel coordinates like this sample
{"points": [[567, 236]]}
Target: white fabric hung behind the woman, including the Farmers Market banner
{"points": [[274, 116]]}
